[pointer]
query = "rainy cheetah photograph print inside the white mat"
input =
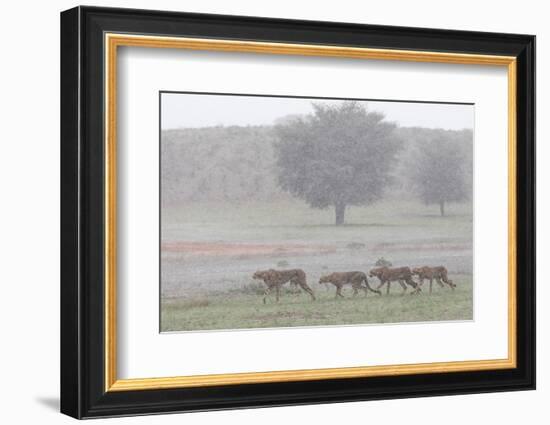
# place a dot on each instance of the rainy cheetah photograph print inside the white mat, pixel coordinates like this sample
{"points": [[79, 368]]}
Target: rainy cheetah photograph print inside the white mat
{"points": [[281, 211]]}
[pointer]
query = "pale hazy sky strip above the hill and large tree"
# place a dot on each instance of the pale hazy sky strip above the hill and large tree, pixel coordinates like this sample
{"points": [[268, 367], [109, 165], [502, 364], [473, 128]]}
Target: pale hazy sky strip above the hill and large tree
{"points": [[181, 110]]}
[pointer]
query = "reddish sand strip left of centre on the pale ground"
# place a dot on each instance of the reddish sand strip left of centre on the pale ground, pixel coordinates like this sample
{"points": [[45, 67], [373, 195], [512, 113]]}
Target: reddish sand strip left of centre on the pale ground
{"points": [[221, 248]]}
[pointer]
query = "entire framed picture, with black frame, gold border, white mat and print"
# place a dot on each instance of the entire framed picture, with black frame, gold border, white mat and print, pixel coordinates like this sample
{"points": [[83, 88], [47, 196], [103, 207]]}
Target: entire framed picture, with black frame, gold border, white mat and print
{"points": [[261, 212]]}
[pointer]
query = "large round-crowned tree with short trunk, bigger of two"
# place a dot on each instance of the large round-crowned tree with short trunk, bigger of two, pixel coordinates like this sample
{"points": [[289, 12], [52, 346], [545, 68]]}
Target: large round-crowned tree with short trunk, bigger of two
{"points": [[338, 156]]}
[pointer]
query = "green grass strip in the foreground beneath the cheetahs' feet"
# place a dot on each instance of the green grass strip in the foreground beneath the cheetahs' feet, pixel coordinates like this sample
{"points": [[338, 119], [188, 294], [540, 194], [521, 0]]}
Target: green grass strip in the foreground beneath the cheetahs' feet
{"points": [[242, 309]]}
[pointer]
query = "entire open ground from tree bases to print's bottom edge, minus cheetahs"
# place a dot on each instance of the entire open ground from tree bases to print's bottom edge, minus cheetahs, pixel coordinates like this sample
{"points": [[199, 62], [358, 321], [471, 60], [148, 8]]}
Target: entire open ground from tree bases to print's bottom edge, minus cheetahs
{"points": [[210, 251]]}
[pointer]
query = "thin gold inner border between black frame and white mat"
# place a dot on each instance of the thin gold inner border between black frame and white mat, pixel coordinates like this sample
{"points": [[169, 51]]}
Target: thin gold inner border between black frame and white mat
{"points": [[111, 43]]}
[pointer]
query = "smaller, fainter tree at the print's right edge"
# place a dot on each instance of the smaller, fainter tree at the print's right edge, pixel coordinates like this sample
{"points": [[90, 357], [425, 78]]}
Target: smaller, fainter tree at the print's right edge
{"points": [[442, 168]]}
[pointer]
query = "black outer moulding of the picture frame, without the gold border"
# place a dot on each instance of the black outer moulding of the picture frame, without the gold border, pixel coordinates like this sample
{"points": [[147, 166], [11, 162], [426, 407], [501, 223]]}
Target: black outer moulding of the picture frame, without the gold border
{"points": [[83, 392]]}
